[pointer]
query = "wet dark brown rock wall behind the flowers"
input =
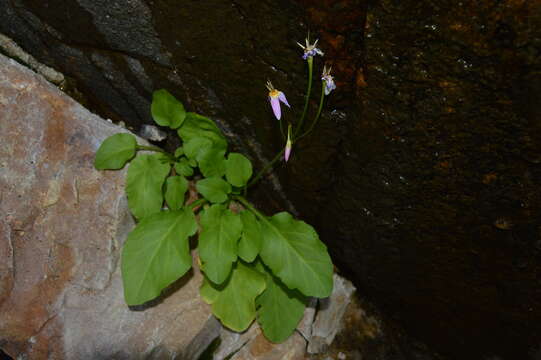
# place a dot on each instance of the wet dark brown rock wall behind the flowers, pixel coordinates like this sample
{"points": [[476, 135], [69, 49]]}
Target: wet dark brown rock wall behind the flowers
{"points": [[424, 174]]}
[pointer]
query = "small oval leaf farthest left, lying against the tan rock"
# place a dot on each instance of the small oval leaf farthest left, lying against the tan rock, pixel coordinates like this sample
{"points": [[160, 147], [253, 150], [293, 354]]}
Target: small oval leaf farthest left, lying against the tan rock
{"points": [[115, 152]]}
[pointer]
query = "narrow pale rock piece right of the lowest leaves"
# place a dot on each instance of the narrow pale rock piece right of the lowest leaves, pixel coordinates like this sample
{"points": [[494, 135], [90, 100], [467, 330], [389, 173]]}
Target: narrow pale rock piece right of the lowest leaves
{"points": [[328, 320]]}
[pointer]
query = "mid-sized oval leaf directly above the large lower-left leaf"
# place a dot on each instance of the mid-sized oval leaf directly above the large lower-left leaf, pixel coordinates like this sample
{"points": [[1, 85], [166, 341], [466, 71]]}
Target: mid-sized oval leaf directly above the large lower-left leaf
{"points": [[146, 176]]}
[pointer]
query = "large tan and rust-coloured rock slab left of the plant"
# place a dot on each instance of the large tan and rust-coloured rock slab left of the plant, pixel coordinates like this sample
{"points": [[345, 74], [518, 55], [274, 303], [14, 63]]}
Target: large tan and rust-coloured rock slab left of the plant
{"points": [[62, 227]]}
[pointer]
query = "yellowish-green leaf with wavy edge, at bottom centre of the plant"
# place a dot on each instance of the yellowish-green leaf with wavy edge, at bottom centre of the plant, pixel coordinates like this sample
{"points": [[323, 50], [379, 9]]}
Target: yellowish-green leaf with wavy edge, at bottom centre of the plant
{"points": [[233, 302]]}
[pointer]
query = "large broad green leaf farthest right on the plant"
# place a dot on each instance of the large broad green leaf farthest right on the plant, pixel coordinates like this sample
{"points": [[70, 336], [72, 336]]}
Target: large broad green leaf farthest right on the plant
{"points": [[294, 253]]}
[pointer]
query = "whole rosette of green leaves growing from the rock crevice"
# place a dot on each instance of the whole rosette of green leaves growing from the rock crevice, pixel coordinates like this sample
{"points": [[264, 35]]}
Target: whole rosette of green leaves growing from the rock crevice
{"points": [[253, 265]]}
